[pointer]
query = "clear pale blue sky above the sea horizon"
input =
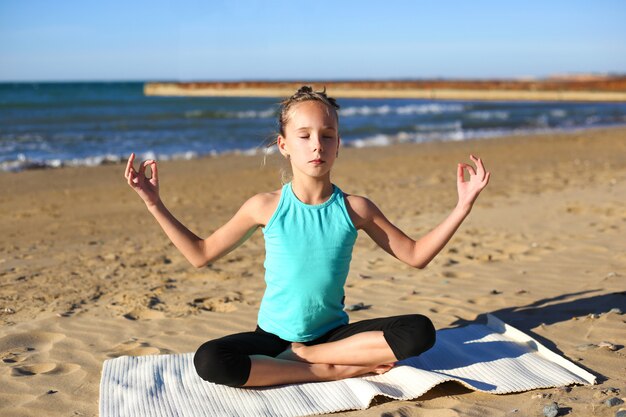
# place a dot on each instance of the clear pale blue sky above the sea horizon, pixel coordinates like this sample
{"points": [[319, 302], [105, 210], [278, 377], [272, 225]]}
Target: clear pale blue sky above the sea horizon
{"points": [[49, 40]]}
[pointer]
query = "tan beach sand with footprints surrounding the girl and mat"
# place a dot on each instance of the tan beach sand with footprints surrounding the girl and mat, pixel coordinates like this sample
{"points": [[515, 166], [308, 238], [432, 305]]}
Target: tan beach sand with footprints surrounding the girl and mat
{"points": [[86, 274]]}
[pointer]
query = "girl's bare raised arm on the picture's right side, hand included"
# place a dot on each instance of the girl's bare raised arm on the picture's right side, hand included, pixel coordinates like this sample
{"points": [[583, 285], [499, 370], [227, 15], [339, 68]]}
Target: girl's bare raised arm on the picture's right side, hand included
{"points": [[419, 253]]}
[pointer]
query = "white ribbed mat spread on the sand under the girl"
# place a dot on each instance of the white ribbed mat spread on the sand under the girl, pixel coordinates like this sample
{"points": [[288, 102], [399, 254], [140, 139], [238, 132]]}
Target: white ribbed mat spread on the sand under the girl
{"points": [[493, 357]]}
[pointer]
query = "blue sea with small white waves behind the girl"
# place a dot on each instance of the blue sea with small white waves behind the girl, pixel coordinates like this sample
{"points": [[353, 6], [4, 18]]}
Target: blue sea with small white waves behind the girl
{"points": [[59, 124]]}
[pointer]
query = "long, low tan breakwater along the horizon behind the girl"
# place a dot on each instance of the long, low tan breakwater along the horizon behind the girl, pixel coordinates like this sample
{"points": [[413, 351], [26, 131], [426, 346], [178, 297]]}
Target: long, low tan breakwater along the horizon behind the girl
{"points": [[597, 89]]}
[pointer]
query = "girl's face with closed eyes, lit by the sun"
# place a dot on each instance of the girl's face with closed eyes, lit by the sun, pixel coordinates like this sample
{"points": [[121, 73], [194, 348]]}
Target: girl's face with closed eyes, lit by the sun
{"points": [[311, 138]]}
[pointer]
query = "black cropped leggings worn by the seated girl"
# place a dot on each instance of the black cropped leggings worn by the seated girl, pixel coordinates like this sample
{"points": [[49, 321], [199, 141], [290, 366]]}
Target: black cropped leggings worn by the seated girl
{"points": [[227, 360]]}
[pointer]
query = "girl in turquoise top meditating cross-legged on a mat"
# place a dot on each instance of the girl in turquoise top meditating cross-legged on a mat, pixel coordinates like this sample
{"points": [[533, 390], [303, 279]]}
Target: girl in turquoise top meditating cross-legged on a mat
{"points": [[310, 227]]}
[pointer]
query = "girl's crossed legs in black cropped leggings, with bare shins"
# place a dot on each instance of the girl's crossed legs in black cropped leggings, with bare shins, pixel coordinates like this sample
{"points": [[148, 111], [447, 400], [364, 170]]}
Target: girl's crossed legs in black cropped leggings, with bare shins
{"points": [[262, 359]]}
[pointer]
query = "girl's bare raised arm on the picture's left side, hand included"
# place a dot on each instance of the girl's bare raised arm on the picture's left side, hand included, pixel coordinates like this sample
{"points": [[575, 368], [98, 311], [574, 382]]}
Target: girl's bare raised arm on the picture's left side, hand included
{"points": [[198, 252]]}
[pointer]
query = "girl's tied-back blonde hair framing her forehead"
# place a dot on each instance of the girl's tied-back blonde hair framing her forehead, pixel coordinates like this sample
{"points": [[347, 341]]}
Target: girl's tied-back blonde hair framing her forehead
{"points": [[304, 93]]}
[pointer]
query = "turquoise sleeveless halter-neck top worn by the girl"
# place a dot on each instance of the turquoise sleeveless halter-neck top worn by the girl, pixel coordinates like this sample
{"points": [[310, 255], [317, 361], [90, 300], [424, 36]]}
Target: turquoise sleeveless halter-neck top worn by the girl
{"points": [[308, 249]]}
